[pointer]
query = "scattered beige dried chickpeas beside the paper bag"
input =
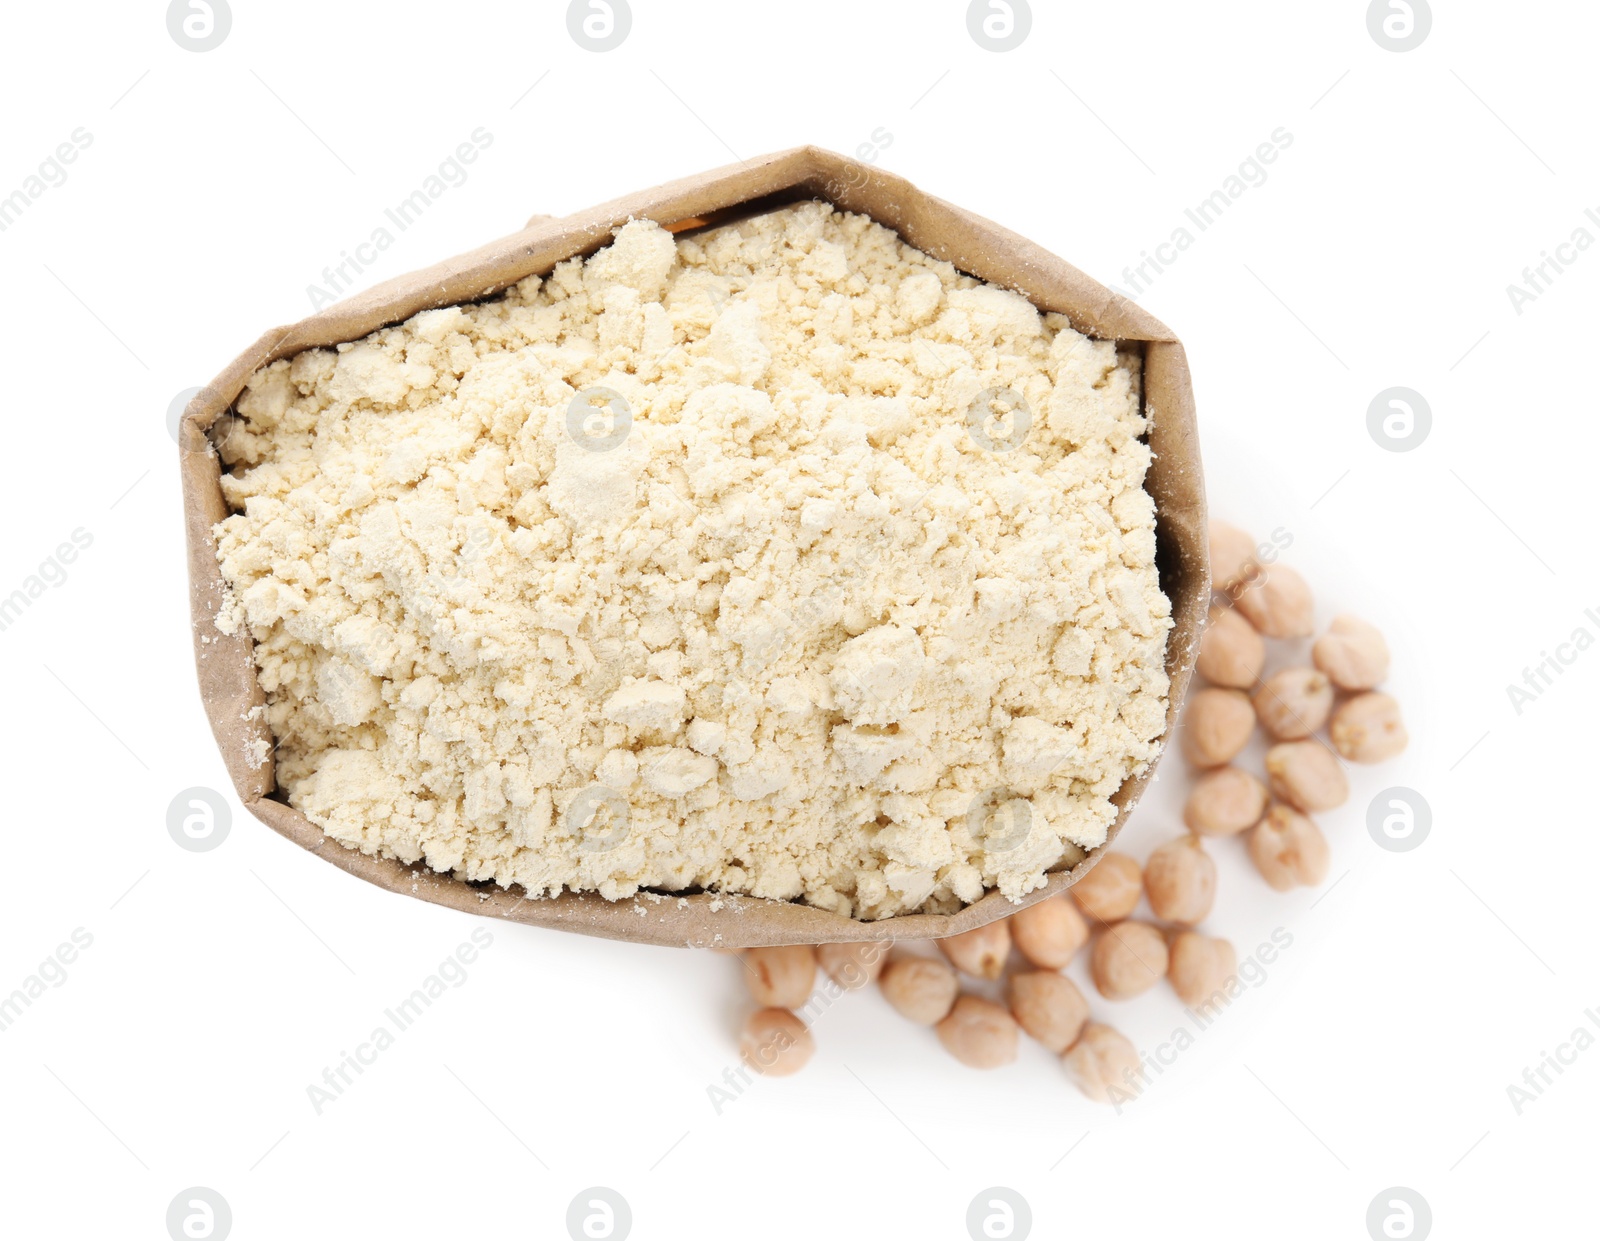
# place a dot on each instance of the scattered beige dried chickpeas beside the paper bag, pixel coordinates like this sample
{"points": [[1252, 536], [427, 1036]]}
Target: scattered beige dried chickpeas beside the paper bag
{"points": [[1305, 775]]}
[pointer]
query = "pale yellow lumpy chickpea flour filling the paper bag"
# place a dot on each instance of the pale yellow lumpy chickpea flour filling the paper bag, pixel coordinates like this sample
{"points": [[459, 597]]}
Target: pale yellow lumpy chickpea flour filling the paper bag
{"points": [[769, 617]]}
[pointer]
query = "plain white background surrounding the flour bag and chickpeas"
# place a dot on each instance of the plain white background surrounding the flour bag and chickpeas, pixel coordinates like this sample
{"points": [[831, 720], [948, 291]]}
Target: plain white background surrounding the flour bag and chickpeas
{"points": [[1420, 986]]}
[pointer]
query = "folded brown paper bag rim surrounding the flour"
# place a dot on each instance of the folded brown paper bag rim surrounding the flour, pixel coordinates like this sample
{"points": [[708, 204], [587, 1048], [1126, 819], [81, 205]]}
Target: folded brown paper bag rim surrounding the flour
{"points": [[228, 674]]}
